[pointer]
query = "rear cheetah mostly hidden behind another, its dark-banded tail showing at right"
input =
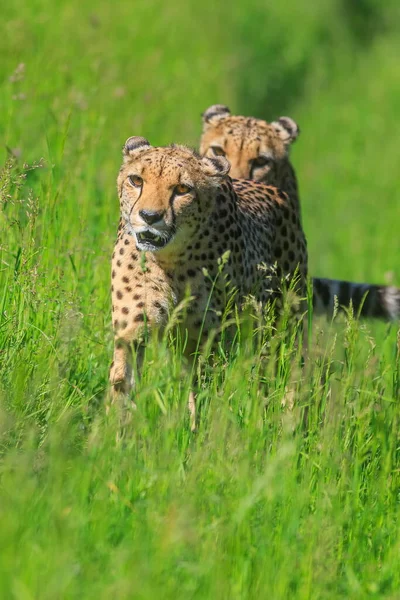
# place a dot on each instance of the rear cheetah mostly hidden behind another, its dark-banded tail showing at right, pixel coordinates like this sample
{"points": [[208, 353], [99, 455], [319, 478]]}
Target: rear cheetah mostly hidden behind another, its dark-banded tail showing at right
{"points": [[259, 151]]}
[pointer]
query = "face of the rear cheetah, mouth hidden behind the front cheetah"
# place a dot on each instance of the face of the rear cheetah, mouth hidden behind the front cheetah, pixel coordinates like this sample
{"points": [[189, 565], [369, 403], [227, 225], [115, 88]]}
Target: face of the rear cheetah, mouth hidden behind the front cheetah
{"points": [[252, 146]]}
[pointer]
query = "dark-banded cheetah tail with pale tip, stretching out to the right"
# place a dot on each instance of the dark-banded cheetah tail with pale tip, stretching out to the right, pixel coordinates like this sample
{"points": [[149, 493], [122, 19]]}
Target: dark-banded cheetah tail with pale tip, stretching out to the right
{"points": [[376, 301]]}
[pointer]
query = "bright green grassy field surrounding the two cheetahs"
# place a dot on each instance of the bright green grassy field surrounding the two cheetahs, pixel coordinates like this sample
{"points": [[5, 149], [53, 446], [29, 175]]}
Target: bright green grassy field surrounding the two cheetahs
{"points": [[265, 501]]}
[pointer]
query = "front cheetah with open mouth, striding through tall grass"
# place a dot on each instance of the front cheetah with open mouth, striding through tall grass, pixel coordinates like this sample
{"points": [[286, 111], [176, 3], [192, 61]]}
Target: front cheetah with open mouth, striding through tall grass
{"points": [[181, 218]]}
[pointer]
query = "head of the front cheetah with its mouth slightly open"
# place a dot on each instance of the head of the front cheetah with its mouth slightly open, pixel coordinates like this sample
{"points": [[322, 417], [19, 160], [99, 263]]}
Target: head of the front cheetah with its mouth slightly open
{"points": [[166, 192]]}
